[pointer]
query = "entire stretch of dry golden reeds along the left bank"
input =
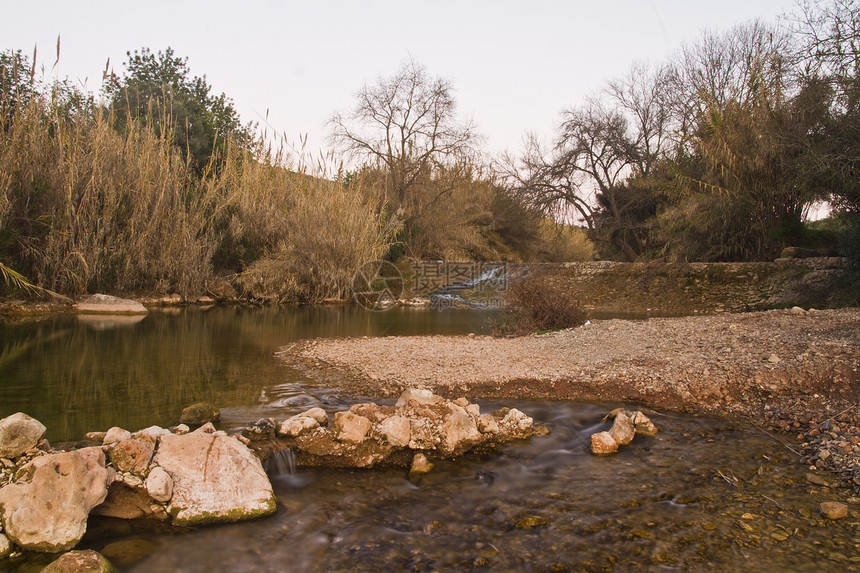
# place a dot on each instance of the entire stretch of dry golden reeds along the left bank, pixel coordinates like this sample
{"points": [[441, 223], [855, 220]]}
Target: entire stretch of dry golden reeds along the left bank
{"points": [[85, 208]]}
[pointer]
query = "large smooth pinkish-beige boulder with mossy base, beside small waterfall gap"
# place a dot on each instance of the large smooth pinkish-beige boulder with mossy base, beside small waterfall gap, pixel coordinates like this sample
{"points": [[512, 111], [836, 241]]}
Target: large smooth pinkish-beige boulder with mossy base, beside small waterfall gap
{"points": [[215, 479]]}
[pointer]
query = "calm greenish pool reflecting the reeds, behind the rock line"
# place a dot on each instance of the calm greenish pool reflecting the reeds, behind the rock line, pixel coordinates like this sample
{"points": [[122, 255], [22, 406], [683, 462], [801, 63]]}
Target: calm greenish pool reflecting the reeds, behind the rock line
{"points": [[81, 373]]}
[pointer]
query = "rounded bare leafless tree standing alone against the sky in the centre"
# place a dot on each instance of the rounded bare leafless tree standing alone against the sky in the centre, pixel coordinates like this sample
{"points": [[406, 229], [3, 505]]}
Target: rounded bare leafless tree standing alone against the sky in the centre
{"points": [[407, 124]]}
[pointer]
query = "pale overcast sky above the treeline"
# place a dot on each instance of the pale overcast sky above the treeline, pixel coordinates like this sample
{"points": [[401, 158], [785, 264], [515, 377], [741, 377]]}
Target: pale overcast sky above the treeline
{"points": [[514, 64]]}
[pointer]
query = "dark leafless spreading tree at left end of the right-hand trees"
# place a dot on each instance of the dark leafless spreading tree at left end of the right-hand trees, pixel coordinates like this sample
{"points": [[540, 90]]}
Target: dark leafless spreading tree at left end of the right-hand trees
{"points": [[599, 147]]}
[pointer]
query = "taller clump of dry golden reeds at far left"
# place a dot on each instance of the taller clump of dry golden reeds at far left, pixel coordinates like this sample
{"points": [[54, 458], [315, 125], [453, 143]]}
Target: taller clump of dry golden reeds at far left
{"points": [[94, 210]]}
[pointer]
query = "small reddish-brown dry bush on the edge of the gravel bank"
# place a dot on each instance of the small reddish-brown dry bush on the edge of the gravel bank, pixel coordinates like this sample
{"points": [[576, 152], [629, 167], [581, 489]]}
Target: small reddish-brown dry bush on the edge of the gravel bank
{"points": [[540, 302]]}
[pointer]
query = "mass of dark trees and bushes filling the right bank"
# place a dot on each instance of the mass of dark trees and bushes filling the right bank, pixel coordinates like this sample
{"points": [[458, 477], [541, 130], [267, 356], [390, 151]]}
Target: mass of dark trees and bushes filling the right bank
{"points": [[717, 154]]}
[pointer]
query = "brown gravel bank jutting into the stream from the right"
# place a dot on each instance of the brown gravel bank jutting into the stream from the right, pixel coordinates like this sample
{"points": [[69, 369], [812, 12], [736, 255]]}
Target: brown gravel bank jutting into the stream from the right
{"points": [[793, 371]]}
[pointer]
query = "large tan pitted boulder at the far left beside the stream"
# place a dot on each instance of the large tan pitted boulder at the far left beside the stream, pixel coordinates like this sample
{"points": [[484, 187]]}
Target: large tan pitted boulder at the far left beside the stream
{"points": [[49, 512]]}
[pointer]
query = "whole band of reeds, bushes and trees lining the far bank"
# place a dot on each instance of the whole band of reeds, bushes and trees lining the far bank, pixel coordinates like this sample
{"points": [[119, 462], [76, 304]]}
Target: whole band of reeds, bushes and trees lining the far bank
{"points": [[157, 186]]}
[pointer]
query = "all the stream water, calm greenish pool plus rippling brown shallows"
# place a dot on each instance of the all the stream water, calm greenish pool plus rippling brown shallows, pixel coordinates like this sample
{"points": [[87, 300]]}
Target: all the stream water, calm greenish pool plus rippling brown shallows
{"points": [[705, 494]]}
